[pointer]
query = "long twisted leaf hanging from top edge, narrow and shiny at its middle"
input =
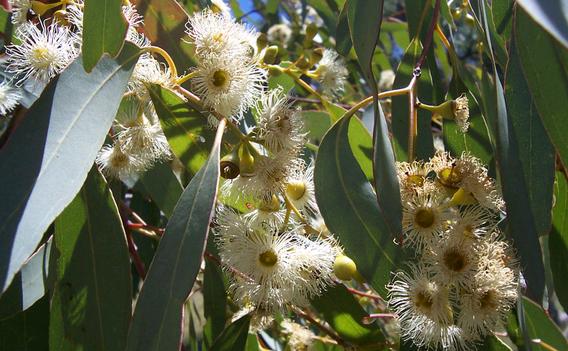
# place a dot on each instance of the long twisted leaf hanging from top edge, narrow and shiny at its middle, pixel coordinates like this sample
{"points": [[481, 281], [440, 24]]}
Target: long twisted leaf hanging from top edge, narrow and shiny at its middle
{"points": [[365, 18]]}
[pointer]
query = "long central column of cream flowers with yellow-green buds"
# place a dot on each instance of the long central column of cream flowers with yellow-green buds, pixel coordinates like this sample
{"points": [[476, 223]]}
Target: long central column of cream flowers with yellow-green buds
{"points": [[277, 259]]}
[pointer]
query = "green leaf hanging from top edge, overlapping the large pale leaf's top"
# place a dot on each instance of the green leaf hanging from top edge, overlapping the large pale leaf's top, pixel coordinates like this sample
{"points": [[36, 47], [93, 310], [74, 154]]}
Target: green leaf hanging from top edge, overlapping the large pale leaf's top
{"points": [[104, 30]]}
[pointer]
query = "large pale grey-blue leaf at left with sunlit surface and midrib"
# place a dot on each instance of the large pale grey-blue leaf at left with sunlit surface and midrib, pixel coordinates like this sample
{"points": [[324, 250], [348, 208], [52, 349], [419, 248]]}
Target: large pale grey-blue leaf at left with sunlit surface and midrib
{"points": [[52, 150]]}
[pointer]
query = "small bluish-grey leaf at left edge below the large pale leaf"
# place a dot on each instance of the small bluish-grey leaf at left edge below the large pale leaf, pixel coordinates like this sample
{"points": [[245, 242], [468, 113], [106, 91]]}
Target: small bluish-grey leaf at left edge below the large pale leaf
{"points": [[29, 285]]}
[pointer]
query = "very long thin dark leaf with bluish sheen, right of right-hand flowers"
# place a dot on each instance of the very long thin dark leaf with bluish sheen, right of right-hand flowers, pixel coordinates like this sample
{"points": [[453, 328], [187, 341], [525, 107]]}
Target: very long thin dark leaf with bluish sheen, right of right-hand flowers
{"points": [[520, 222]]}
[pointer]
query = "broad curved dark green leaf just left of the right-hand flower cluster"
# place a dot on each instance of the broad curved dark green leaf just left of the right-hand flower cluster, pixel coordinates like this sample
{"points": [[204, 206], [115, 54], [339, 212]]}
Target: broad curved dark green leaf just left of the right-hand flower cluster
{"points": [[349, 206]]}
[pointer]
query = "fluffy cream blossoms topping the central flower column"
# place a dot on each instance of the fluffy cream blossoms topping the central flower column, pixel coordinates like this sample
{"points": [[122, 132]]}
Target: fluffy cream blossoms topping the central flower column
{"points": [[227, 78]]}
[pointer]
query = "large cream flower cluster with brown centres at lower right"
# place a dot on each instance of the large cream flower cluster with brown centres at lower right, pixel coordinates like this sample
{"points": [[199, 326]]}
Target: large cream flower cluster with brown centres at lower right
{"points": [[464, 278]]}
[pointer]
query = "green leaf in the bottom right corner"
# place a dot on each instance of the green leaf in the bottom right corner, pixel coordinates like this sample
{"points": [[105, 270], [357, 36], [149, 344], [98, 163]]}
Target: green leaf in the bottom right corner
{"points": [[541, 329]]}
